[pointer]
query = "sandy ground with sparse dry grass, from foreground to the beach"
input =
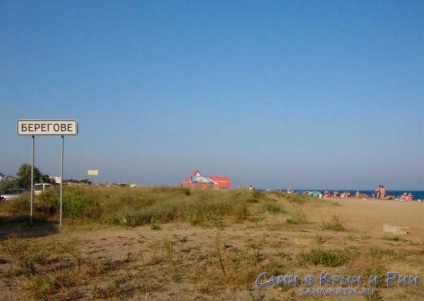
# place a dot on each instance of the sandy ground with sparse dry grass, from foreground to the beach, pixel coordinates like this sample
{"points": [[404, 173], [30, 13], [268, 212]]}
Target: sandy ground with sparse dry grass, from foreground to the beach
{"points": [[183, 262]]}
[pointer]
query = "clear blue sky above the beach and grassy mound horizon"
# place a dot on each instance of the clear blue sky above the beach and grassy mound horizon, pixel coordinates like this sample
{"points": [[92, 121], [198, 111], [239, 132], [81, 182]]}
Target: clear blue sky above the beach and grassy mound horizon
{"points": [[307, 94]]}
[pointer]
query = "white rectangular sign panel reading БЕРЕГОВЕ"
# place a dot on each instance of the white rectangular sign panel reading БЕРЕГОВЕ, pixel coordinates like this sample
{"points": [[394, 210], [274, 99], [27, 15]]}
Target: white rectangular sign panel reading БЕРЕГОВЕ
{"points": [[47, 127]]}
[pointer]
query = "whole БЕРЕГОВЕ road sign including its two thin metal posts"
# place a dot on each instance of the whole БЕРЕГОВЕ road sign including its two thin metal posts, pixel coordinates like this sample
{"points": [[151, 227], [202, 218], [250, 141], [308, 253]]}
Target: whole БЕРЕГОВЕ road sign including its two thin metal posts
{"points": [[33, 127]]}
